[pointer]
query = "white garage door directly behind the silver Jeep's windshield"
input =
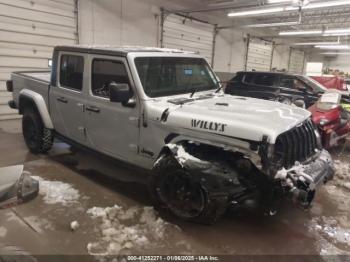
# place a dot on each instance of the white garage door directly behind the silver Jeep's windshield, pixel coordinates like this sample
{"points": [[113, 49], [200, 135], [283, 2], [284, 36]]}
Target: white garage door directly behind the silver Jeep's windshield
{"points": [[189, 35]]}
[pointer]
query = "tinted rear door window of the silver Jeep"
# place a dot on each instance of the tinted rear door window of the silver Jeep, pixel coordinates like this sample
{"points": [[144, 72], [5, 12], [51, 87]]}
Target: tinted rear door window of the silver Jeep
{"points": [[71, 72]]}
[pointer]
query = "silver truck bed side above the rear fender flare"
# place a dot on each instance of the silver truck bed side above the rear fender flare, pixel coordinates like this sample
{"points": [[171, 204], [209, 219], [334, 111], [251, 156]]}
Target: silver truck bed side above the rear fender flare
{"points": [[37, 81]]}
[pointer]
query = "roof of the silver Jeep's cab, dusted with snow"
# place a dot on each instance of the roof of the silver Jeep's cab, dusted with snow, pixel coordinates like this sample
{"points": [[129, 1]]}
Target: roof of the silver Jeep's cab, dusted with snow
{"points": [[116, 50]]}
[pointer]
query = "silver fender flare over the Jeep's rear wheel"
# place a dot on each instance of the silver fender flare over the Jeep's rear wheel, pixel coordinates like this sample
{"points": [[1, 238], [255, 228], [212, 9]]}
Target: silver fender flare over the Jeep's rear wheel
{"points": [[40, 103]]}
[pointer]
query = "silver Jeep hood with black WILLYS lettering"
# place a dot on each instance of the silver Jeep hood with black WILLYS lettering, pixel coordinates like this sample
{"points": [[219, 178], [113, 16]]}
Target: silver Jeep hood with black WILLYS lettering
{"points": [[233, 116]]}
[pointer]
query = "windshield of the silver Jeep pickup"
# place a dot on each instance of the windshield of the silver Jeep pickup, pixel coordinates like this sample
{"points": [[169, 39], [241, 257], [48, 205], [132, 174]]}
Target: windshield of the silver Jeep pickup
{"points": [[166, 76]]}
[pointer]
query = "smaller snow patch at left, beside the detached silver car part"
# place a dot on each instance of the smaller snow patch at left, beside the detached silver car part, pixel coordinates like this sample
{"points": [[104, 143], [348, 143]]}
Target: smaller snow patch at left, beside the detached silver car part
{"points": [[56, 192]]}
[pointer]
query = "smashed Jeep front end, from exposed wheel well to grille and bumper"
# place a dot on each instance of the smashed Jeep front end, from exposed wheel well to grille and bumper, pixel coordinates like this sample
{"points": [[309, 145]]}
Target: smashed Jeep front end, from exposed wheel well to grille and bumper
{"points": [[291, 168]]}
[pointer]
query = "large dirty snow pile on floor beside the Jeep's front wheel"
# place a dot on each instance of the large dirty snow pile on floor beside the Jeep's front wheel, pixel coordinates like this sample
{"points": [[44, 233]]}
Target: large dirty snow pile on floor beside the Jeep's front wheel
{"points": [[123, 229]]}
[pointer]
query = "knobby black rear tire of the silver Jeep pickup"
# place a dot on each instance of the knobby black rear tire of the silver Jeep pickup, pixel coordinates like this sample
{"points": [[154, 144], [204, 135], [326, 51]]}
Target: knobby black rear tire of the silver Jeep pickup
{"points": [[38, 139]]}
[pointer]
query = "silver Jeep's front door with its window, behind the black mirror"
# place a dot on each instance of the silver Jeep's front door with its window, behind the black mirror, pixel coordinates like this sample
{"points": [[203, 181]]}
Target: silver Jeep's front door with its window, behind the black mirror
{"points": [[112, 128]]}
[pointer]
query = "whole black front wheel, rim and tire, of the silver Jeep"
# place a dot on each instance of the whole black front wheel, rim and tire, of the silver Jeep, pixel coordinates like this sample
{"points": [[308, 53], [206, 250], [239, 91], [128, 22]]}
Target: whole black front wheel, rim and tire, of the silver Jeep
{"points": [[177, 190]]}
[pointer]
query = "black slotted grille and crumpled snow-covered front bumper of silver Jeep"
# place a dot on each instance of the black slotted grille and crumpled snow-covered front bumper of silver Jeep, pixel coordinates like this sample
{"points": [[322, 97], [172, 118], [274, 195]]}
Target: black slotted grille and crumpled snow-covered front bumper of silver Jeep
{"points": [[298, 164]]}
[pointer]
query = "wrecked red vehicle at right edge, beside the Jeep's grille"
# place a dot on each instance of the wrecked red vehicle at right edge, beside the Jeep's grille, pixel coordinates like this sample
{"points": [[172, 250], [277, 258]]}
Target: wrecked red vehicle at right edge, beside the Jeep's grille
{"points": [[331, 118]]}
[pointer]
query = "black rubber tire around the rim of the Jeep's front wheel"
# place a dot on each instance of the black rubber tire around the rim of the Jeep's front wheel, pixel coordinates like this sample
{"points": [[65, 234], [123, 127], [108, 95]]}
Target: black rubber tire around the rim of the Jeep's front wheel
{"points": [[215, 204]]}
